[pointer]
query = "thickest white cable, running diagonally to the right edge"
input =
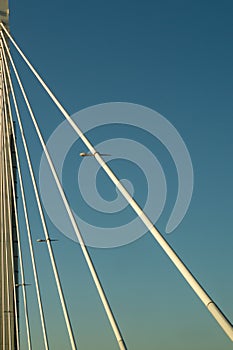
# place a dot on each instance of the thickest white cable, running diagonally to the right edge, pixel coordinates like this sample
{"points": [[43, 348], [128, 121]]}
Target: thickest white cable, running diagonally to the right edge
{"points": [[192, 281]]}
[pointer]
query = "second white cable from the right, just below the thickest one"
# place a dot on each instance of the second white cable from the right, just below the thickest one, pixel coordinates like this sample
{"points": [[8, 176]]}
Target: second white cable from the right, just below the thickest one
{"points": [[90, 264]]}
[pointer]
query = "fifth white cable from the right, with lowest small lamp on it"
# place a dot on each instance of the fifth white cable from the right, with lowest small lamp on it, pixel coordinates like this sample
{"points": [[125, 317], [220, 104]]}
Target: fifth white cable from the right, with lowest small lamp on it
{"points": [[19, 248]]}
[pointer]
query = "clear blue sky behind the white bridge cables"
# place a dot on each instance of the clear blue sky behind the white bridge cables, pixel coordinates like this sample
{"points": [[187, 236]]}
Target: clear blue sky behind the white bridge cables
{"points": [[174, 57]]}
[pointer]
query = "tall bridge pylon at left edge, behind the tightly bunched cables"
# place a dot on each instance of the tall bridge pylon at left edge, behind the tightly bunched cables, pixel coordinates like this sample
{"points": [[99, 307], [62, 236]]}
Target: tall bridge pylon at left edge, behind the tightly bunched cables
{"points": [[8, 237]]}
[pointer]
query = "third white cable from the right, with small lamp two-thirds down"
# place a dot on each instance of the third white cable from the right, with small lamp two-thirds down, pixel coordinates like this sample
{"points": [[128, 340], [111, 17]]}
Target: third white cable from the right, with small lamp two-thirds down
{"points": [[45, 229]]}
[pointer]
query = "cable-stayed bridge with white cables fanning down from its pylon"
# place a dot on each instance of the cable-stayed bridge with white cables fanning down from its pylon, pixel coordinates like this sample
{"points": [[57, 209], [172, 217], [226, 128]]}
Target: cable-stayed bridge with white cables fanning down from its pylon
{"points": [[12, 185]]}
